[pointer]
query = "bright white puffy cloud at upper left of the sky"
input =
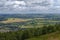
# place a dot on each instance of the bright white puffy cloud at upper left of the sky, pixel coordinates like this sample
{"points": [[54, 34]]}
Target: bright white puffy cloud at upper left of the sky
{"points": [[15, 3]]}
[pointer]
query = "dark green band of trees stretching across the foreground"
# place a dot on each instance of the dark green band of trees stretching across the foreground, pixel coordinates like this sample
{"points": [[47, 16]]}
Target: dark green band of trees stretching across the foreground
{"points": [[28, 33]]}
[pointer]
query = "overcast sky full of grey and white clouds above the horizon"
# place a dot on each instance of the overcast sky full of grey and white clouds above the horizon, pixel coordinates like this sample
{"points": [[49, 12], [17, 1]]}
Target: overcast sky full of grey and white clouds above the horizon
{"points": [[29, 6]]}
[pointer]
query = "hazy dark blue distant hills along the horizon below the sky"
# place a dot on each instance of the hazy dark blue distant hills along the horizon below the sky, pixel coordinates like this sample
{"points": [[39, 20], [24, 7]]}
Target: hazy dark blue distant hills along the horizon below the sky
{"points": [[25, 16]]}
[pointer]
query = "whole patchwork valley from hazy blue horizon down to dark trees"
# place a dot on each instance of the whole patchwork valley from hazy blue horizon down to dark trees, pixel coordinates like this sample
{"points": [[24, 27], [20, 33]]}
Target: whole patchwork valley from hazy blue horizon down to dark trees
{"points": [[13, 21]]}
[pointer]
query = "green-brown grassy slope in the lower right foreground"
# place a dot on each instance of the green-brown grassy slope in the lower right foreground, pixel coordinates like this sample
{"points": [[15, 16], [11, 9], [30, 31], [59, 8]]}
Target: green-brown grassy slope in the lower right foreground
{"points": [[51, 36]]}
